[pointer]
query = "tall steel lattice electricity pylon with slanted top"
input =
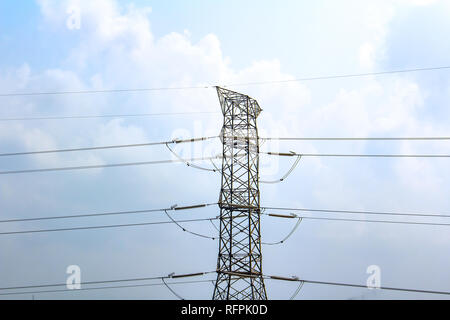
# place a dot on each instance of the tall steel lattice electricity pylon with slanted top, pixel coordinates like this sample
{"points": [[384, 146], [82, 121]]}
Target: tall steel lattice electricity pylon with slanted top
{"points": [[239, 266]]}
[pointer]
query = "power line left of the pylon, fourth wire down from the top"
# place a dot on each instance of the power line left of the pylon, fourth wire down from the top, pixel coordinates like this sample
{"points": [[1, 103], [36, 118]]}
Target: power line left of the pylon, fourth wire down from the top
{"points": [[106, 165]]}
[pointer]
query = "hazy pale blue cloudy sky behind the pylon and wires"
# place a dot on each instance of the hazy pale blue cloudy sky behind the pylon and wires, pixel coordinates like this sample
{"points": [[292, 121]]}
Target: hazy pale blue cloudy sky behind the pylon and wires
{"points": [[142, 44]]}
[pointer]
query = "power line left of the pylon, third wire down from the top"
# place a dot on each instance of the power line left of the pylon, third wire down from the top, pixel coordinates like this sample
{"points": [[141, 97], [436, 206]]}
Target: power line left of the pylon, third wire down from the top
{"points": [[175, 141]]}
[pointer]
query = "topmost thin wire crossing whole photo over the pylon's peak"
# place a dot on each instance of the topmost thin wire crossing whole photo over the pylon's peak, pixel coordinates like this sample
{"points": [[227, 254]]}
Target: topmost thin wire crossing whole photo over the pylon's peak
{"points": [[326, 77]]}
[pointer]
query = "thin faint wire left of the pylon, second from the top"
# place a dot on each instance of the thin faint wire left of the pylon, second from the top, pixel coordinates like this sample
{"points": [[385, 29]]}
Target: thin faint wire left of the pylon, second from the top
{"points": [[107, 116]]}
